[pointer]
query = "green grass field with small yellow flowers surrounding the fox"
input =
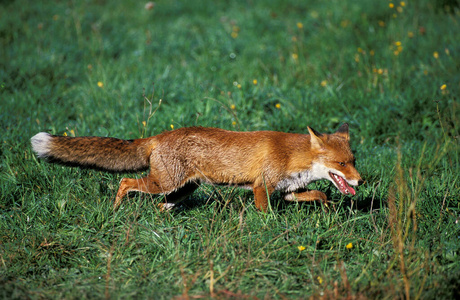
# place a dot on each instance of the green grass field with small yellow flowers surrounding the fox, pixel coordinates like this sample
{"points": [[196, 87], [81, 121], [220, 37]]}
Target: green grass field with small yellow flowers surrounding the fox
{"points": [[390, 69]]}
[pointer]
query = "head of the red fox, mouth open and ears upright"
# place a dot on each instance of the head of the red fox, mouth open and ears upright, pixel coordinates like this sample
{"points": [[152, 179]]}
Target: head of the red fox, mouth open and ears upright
{"points": [[335, 162]]}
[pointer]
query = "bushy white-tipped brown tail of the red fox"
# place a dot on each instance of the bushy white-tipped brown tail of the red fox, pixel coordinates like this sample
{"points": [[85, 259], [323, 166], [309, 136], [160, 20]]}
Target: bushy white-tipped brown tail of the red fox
{"points": [[101, 153]]}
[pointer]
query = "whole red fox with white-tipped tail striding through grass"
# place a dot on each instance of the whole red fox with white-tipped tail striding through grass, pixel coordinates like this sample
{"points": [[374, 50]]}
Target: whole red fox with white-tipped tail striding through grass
{"points": [[179, 160]]}
